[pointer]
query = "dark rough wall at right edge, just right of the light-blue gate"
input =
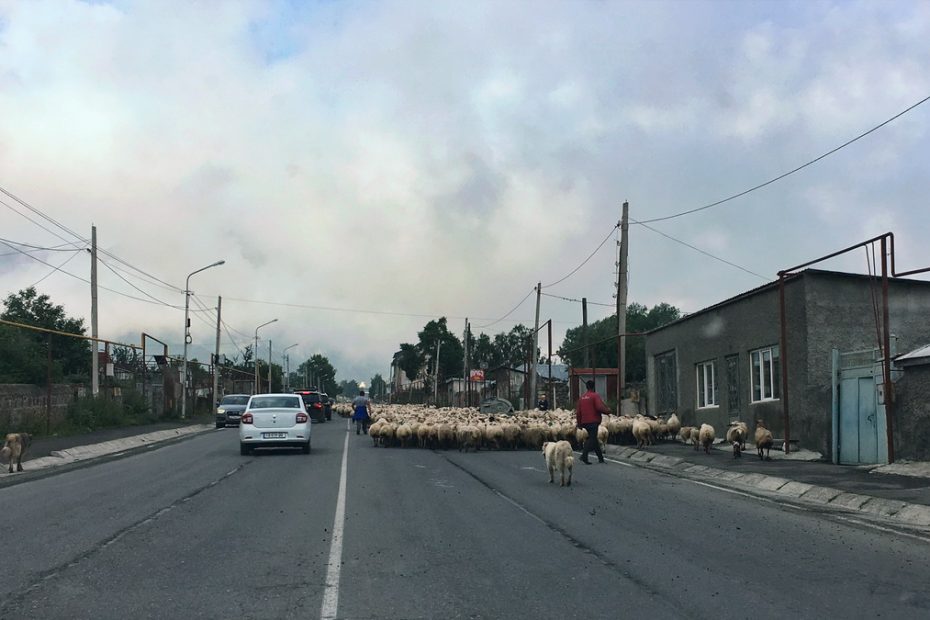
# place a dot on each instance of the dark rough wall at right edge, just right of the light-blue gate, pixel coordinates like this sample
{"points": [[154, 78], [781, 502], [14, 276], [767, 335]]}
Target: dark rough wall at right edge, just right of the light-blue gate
{"points": [[912, 415]]}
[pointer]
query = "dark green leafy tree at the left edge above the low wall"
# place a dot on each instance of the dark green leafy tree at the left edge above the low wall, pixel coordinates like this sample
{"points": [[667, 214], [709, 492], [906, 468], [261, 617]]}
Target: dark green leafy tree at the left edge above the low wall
{"points": [[24, 351]]}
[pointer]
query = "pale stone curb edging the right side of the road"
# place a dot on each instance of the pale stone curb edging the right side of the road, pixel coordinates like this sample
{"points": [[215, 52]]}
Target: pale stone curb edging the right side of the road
{"points": [[901, 513]]}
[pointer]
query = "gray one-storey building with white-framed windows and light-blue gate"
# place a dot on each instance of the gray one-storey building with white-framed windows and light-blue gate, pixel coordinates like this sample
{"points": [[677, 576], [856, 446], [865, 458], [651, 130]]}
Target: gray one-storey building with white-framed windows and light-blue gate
{"points": [[723, 363]]}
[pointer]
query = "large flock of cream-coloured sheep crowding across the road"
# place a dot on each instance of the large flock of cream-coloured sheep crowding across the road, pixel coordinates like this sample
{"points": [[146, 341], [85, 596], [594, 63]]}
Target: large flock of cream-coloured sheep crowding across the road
{"points": [[466, 429]]}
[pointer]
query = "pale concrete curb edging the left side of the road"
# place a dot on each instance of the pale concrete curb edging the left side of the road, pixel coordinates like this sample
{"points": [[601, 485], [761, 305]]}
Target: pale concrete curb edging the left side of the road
{"points": [[64, 460]]}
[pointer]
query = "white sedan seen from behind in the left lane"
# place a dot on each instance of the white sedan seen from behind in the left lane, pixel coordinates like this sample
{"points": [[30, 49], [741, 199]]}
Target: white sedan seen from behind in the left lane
{"points": [[274, 420]]}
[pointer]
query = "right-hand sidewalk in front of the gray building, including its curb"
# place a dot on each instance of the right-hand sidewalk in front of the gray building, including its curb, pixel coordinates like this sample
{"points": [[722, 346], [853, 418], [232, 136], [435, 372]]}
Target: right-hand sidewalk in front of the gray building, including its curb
{"points": [[901, 496]]}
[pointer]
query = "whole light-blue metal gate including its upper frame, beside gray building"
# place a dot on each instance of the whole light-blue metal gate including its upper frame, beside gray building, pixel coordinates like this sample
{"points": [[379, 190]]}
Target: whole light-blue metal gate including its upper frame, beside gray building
{"points": [[858, 412]]}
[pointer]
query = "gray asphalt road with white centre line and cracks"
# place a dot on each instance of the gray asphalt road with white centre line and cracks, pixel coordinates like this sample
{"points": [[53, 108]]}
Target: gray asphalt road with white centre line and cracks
{"points": [[194, 530]]}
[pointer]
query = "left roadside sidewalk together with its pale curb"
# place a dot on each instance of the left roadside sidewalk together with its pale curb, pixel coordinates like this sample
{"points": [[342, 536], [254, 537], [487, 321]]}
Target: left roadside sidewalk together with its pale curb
{"points": [[52, 452]]}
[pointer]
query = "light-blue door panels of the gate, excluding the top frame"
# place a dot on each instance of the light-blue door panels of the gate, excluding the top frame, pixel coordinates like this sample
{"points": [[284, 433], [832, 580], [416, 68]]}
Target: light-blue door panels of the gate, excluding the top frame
{"points": [[858, 423]]}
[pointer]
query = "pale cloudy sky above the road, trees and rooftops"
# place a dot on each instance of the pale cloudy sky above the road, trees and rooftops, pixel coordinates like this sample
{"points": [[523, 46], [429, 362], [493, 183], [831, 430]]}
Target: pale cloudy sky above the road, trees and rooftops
{"points": [[363, 167]]}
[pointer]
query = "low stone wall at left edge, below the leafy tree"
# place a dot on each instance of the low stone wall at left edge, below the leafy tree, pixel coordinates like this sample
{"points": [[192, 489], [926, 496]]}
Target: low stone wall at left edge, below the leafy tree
{"points": [[23, 407]]}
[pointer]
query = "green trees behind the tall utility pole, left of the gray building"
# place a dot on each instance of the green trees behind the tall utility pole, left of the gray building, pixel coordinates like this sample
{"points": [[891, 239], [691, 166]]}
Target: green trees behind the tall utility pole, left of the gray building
{"points": [[602, 339]]}
